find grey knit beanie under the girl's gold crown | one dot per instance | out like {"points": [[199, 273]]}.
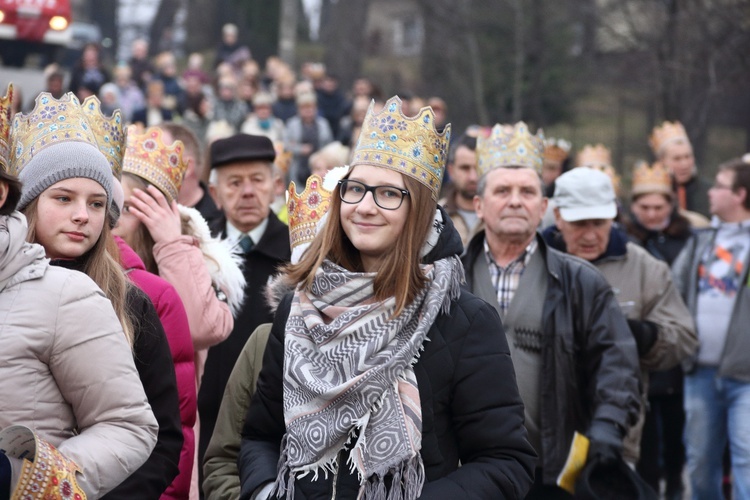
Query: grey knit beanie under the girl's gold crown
{"points": [[61, 161]]}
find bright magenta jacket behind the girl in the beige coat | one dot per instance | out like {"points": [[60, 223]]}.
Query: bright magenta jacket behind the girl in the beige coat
{"points": [[175, 322]]}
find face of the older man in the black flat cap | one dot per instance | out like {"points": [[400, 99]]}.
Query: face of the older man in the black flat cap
{"points": [[244, 191]]}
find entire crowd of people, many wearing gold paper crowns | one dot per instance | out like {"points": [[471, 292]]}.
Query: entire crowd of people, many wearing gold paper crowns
{"points": [[249, 284]]}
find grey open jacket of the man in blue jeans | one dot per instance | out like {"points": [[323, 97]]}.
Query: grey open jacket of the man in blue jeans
{"points": [[685, 270]]}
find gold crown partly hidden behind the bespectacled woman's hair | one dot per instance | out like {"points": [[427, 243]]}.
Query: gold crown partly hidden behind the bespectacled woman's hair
{"points": [[306, 210]]}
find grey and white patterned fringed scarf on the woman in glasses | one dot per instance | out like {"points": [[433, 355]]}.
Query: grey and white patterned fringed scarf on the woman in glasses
{"points": [[348, 376]]}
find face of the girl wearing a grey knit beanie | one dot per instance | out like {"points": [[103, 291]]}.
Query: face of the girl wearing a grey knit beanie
{"points": [[70, 217]]}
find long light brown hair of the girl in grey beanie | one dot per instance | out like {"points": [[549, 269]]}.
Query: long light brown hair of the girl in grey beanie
{"points": [[101, 264]]}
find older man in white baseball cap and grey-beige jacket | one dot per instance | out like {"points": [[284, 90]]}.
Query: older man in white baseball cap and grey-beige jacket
{"points": [[585, 209]]}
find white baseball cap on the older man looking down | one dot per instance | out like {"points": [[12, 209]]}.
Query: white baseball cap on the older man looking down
{"points": [[584, 193]]}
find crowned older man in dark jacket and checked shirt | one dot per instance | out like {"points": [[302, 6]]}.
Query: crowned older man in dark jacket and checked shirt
{"points": [[575, 359]]}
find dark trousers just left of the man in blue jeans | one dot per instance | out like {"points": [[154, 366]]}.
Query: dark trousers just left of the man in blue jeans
{"points": [[662, 448]]}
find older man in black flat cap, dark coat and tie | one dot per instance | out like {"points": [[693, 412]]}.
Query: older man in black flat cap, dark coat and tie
{"points": [[242, 184]]}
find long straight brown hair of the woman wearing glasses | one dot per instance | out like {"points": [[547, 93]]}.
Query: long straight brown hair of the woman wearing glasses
{"points": [[399, 275]]}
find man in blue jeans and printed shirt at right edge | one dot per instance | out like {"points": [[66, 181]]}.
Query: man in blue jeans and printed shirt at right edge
{"points": [[711, 272]]}
